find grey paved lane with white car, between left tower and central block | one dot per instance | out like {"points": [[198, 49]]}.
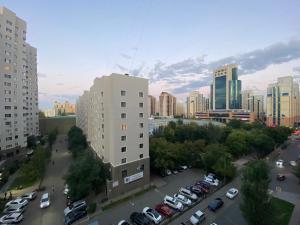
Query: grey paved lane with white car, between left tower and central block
{"points": [[53, 215]]}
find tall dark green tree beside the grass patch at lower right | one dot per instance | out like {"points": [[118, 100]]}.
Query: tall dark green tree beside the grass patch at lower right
{"points": [[256, 206]]}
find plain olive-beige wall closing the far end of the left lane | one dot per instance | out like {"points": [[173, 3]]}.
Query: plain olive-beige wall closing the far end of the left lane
{"points": [[63, 124]]}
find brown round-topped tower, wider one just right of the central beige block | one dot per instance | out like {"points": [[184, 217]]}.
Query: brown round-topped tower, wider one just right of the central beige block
{"points": [[167, 105]]}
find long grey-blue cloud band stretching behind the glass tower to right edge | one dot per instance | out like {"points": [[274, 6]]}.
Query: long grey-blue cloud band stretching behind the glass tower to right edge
{"points": [[194, 73]]}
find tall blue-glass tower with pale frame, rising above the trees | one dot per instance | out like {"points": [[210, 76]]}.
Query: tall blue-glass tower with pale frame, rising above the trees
{"points": [[226, 88]]}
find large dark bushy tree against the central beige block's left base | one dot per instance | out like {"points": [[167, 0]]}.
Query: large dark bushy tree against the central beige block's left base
{"points": [[86, 174]]}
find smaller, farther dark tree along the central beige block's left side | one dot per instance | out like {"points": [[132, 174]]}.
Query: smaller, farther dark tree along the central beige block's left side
{"points": [[77, 141]]}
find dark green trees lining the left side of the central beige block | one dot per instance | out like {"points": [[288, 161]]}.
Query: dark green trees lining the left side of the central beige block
{"points": [[87, 172]]}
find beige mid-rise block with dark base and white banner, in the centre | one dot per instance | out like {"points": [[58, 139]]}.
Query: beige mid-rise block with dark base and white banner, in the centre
{"points": [[116, 111]]}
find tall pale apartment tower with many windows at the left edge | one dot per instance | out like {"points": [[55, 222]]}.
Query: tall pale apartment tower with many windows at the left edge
{"points": [[18, 85]]}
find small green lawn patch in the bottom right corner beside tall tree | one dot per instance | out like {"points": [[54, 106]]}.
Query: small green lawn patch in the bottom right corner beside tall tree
{"points": [[283, 211]]}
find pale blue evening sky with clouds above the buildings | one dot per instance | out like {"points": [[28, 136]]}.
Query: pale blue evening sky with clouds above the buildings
{"points": [[175, 44]]}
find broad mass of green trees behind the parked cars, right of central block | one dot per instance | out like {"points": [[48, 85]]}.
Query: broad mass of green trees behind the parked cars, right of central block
{"points": [[212, 147]]}
